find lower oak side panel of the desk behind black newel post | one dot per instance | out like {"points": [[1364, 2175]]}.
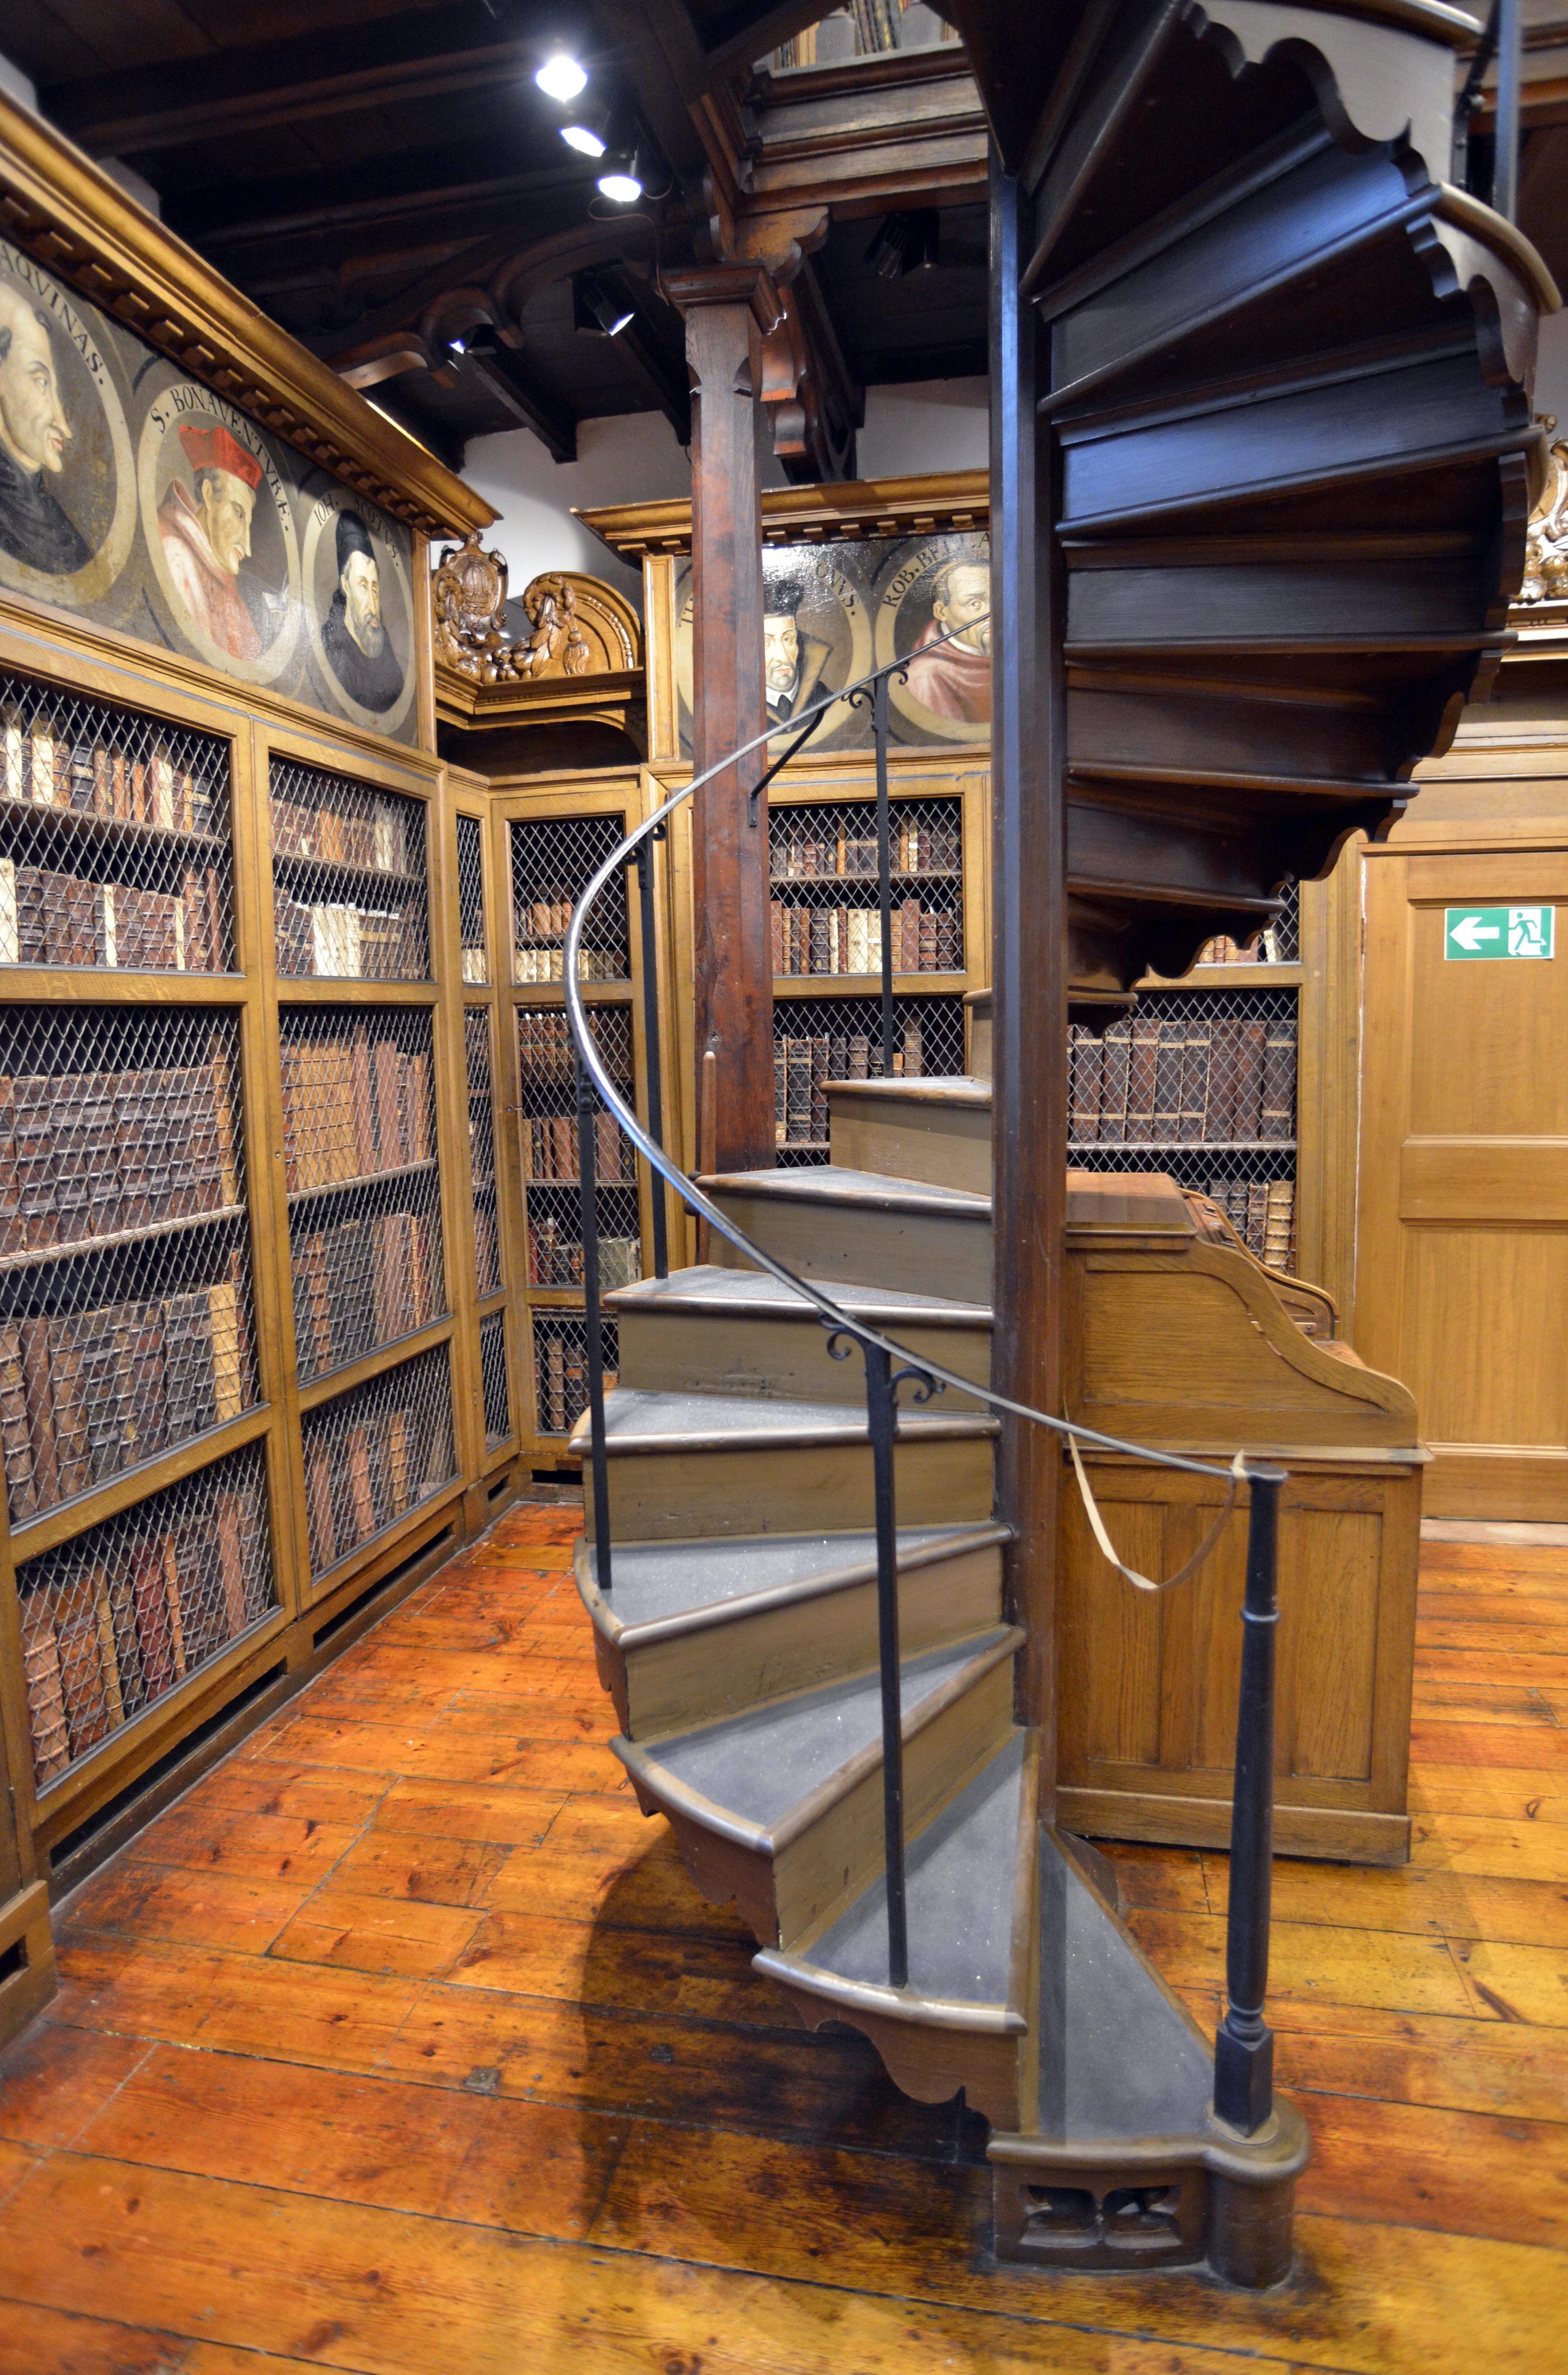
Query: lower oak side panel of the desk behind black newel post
{"points": [[1149, 1685]]}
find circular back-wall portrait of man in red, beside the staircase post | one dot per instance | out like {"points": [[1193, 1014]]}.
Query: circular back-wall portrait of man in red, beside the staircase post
{"points": [[935, 607]]}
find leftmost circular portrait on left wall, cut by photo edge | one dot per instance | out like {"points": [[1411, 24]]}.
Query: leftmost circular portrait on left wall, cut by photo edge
{"points": [[68, 498]]}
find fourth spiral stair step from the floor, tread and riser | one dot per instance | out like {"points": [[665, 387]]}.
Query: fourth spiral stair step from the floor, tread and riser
{"points": [[697, 1630]]}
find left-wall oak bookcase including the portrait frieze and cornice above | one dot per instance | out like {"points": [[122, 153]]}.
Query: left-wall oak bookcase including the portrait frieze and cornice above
{"points": [[241, 1331]]}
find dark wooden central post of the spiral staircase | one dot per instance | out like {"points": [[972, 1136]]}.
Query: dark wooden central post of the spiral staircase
{"points": [[1030, 951]]}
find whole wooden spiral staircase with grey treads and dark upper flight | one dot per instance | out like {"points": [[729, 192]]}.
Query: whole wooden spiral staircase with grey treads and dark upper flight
{"points": [[1260, 481]]}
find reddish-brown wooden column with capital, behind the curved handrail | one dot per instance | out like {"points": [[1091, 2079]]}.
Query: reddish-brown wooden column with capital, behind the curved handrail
{"points": [[728, 312]]}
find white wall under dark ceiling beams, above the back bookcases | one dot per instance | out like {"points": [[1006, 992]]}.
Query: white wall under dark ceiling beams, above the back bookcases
{"points": [[636, 460]]}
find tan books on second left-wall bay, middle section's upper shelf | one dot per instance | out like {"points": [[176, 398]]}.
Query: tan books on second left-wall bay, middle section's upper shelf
{"points": [[355, 1103]]}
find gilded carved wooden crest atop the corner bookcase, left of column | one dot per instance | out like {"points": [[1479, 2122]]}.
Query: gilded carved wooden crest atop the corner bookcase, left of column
{"points": [[578, 626]]}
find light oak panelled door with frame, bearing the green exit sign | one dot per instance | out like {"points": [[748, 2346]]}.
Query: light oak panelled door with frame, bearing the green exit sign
{"points": [[1465, 1222]]}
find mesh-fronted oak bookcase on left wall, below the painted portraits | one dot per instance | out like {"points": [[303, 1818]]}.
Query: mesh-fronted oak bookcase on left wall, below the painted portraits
{"points": [[246, 1317]]}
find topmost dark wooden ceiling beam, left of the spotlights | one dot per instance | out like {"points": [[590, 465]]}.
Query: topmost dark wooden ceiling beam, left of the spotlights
{"points": [[263, 87]]}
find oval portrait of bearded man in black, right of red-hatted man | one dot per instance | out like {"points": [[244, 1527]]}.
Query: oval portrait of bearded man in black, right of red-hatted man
{"points": [[360, 609]]}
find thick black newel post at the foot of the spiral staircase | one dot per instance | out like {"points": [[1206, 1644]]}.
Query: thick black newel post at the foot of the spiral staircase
{"points": [[1244, 2048]]}
